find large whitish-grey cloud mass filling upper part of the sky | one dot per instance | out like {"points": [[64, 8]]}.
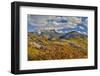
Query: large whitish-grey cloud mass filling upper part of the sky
{"points": [[42, 22]]}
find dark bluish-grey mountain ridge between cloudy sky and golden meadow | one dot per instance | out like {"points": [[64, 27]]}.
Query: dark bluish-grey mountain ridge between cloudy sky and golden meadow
{"points": [[53, 34]]}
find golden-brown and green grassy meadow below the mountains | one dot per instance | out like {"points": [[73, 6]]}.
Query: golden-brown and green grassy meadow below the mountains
{"points": [[40, 47]]}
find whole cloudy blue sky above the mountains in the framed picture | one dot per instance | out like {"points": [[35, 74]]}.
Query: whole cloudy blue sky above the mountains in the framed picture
{"points": [[61, 24]]}
